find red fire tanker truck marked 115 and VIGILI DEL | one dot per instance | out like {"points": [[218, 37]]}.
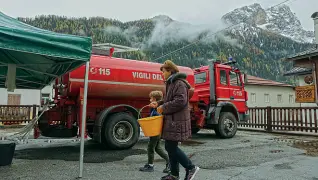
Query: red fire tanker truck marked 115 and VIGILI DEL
{"points": [[118, 88]]}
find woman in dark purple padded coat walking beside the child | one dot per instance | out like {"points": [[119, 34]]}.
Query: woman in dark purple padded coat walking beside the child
{"points": [[177, 121]]}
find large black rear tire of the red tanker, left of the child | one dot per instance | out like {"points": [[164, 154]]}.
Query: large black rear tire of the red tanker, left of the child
{"points": [[121, 131]]}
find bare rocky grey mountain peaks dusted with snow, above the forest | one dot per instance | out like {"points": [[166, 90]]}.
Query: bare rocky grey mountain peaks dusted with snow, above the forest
{"points": [[280, 20]]}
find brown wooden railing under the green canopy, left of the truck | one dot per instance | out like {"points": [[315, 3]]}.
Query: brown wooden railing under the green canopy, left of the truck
{"points": [[17, 114]]}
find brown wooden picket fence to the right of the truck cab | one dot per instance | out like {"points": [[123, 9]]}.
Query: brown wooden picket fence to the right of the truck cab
{"points": [[301, 119]]}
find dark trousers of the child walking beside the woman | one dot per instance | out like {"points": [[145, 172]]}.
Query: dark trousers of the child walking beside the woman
{"points": [[154, 146]]}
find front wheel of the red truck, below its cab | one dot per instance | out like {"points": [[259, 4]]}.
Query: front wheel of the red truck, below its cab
{"points": [[227, 125]]}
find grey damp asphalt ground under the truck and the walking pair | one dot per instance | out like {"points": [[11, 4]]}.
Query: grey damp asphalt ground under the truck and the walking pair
{"points": [[248, 156]]}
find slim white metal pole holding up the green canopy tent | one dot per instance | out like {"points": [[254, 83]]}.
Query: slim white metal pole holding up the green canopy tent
{"points": [[83, 120]]}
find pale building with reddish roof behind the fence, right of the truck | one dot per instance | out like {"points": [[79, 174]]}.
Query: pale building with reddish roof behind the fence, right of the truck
{"points": [[264, 92]]}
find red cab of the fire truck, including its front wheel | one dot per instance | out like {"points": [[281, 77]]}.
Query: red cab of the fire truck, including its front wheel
{"points": [[221, 97]]}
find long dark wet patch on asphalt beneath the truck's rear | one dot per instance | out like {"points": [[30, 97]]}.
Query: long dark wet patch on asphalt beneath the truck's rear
{"points": [[93, 153]]}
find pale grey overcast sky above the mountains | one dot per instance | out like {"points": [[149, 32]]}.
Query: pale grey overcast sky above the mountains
{"points": [[193, 11]]}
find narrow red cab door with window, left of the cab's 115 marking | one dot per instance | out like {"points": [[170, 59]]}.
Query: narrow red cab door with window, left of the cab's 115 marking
{"points": [[222, 85]]}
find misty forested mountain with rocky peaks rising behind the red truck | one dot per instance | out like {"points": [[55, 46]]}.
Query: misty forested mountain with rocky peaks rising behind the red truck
{"points": [[257, 47]]}
